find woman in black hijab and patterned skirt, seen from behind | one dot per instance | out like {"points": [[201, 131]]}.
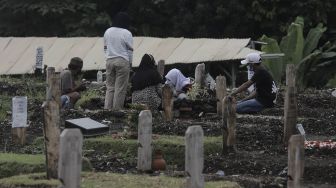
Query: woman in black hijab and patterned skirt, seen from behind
{"points": [[146, 84]]}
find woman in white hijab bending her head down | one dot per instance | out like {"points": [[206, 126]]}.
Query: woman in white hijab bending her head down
{"points": [[179, 82]]}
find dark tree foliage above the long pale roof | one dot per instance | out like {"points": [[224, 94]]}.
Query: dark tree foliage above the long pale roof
{"points": [[162, 18]]}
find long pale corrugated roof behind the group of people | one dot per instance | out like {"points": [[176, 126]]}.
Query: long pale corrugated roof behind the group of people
{"points": [[18, 55]]}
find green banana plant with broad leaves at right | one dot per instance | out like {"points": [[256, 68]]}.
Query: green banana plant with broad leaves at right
{"points": [[315, 66]]}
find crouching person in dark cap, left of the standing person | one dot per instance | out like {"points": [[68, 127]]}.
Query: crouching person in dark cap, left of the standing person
{"points": [[71, 91]]}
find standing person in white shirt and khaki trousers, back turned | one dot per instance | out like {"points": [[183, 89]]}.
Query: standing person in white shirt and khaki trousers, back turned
{"points": [[118, 47]]}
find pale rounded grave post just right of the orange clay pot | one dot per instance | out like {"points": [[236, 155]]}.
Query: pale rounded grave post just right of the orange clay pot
{"points": [[194, 157]]}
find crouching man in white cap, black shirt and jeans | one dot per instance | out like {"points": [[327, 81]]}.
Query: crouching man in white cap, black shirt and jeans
{"points": [[264, 94]]}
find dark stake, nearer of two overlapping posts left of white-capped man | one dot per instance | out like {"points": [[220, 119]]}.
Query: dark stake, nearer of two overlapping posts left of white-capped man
{"points": [[229, 124]]}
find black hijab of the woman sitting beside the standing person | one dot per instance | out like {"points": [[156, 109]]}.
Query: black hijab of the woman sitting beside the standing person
{"points": [[146, 75]]}
